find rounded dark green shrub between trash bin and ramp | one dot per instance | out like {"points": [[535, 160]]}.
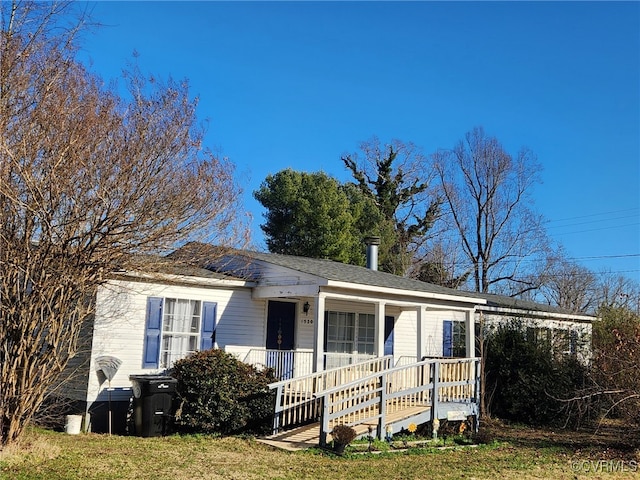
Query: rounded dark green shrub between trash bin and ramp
{"points": [[217, 393]]}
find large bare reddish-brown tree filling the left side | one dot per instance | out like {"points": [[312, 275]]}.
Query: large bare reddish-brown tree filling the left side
{"points": [[88, 177]]}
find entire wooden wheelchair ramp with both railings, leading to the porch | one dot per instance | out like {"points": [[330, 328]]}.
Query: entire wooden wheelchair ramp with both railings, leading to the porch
{"points": [[374, 398]]}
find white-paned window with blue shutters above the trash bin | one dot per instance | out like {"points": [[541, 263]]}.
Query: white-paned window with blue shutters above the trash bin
{"points": [[175, 328]]}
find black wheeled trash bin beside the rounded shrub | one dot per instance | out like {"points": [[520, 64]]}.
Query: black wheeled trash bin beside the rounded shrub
{"points": [[152, 399]]}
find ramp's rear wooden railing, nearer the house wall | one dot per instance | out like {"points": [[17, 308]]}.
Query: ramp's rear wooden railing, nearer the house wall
{"points": [[296, 402]]}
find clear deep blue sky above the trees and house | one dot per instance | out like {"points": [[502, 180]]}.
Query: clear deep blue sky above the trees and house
{"points": [[298, 84]]}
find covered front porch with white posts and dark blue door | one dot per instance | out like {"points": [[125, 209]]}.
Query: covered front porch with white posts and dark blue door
{"points": [[336, 330]]}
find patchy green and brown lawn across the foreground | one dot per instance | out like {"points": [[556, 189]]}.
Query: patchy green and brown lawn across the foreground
{"points": [[534, 455]]}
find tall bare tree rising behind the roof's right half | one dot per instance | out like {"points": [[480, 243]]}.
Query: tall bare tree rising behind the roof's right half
{"points": [[487, 192]]}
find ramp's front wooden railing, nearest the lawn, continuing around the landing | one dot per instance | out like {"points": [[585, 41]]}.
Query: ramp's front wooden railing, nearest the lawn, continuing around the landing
{"points": [[373, 398]]}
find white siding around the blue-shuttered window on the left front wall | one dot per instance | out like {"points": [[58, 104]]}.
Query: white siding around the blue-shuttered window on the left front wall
{"points": [[119, 328]]}
